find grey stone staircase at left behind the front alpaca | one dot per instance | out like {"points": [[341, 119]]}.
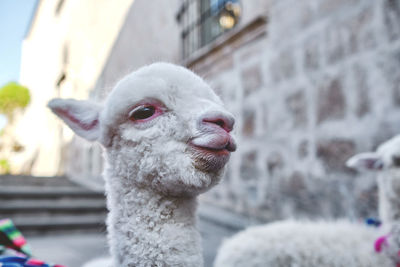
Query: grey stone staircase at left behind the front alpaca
{"points": [[48, 205]]}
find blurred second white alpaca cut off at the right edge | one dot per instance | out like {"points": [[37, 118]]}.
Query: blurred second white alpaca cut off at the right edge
{"points": [[338, 244]]}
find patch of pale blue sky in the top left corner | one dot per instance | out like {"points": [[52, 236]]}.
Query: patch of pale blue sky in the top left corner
{"points": [[15, 16]]}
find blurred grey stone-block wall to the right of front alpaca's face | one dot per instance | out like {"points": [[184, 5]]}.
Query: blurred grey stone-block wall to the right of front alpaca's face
{"points": [[311, 84]]}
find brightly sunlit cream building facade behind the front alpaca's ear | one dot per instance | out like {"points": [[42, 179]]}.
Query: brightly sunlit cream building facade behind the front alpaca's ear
{"points": [[62, 55]]}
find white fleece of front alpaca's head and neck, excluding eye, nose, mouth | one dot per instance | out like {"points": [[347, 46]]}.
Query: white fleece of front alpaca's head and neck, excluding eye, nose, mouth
{"points": [[152, 175]]}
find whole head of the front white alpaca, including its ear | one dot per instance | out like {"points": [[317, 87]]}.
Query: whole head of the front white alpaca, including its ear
{"points": [[162, 127]]}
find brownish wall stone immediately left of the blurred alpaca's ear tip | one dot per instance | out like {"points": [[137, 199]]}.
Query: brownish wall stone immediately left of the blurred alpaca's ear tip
{"points": [[334, 153]]}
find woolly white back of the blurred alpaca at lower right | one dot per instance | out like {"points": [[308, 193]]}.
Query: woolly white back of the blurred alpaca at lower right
{"points": [[303, 244]]}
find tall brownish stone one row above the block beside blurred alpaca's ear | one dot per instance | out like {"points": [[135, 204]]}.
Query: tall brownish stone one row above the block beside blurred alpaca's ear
{"points": [[331, 101]]}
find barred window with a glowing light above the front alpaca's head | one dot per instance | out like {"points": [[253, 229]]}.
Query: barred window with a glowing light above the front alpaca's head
{"points": [[204, 20]]}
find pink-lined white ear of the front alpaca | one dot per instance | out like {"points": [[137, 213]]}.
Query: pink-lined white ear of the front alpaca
{"points": [[81, 116]]}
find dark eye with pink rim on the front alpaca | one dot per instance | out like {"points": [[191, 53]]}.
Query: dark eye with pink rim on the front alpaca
{"points": [[146, 111]]}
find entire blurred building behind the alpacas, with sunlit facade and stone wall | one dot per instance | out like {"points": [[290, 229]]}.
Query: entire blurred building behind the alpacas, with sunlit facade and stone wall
{"points": [[310, 82]]}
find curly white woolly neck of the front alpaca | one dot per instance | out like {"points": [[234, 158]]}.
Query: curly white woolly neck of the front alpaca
{"points": [[148, 229]]}
